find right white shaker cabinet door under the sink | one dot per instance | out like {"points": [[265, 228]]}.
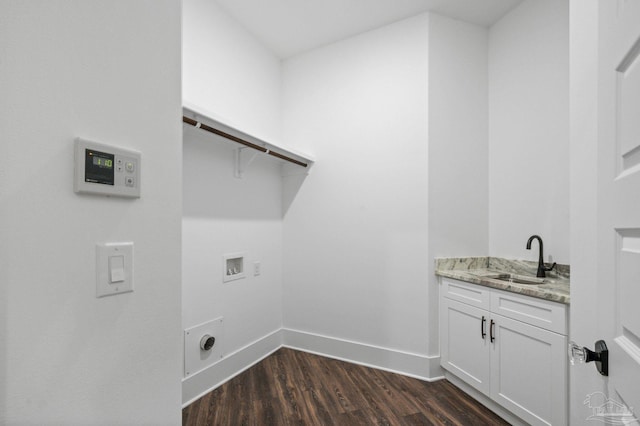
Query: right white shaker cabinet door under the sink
{"points": [[529, 371]]}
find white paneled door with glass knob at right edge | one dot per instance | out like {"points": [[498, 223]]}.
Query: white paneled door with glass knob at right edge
{"points": [[619, 202]]}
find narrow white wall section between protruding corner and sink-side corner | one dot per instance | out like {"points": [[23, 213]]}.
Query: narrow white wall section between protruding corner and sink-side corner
{"points": [[458, 146]]}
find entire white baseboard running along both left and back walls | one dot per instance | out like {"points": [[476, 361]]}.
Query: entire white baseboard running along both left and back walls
{"points": [[408, 364]]}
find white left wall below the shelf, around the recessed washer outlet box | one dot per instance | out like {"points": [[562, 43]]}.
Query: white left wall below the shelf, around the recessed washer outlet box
{"points": [[223, 215]]}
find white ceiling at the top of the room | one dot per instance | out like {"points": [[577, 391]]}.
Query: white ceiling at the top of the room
{"points": [[289, 27]]}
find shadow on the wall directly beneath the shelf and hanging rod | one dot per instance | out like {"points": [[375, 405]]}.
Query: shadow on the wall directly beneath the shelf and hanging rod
{"points": [[211, 190]]}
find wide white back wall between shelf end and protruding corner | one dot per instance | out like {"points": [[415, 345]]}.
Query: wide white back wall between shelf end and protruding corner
{"points": [[355, 245]]}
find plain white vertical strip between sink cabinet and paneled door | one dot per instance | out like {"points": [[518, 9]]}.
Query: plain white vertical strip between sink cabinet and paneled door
{"points": [[583, 106]]}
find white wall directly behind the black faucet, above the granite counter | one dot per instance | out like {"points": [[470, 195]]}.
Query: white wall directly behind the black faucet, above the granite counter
{"points": [[529, 131]]}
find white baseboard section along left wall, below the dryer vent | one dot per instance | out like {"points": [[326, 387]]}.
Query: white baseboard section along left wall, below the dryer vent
{"points": [[200, 384]]}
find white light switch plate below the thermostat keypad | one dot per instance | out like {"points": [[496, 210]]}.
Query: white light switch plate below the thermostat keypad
{"points": [[114, 268]]}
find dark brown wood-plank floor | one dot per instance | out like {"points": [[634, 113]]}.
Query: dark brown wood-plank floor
{"points": [[297, 388]]}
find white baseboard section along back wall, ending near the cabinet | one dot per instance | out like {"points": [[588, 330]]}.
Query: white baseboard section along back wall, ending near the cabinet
{"points": [[408, 364]]}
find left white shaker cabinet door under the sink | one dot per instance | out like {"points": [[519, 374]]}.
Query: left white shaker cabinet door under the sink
{"points": [[465, 352]]}
